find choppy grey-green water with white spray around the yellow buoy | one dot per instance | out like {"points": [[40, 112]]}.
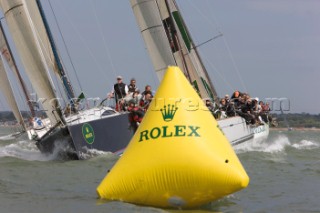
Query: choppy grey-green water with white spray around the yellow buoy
{"points": [[284, 176]]}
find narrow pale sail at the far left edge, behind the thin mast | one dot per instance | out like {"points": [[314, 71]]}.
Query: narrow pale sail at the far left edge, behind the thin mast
{"points": [[6, 88]]}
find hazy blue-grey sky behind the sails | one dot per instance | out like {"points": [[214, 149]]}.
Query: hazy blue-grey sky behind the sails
{"points": [[270, 49]]}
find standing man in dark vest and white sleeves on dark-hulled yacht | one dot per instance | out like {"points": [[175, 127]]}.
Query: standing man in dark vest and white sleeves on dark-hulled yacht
{"points": [[119, 92]]}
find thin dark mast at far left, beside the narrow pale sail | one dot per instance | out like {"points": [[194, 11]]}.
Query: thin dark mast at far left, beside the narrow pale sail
{"points": [[16, 71]]}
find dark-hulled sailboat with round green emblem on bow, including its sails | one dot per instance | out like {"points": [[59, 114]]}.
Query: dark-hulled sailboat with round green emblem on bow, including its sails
{"points": [[100, 128]]}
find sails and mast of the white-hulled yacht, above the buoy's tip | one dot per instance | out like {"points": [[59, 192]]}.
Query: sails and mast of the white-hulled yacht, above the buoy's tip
{"points": [[169, 43]]}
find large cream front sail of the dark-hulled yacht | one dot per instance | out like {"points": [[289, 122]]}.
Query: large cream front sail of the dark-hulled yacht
{"points": [[26, 39]]}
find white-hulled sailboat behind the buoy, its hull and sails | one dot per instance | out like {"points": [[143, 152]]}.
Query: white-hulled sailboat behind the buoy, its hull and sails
{"points": [[169, 43]]}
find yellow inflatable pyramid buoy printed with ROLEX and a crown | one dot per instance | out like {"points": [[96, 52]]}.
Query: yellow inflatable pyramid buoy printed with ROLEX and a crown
{"points": [[178, 157]]}
